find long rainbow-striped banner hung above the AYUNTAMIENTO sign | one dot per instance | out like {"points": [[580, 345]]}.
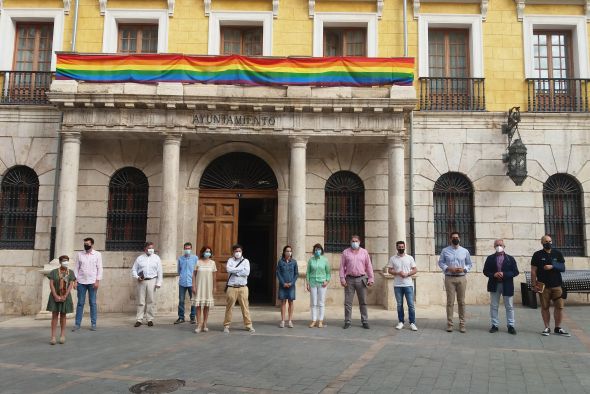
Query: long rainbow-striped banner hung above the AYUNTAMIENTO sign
{"points": [[236, 70]]}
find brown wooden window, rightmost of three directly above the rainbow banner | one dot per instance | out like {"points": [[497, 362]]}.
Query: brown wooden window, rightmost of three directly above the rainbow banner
{"points": [[345, 41]]}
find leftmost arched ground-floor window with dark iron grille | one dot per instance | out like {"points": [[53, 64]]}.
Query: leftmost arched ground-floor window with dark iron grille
{"points": [[19, 194]]}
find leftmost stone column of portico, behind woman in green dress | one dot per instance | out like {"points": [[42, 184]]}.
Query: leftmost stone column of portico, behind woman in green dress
{"points": [[67, 195]]}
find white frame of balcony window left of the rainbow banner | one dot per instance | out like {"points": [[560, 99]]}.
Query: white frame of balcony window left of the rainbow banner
{"points": [[11, 16]]}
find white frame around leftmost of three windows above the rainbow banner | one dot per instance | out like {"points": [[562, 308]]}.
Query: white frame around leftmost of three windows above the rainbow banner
{"points": [[112, 19]]}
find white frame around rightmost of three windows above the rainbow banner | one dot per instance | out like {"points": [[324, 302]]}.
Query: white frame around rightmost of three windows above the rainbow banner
{"points": [[344, 19]]}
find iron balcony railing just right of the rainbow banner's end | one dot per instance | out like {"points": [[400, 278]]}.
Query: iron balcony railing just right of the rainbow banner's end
{"points": [[452, 94]]}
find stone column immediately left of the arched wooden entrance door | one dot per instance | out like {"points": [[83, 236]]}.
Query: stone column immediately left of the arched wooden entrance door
{"points": [[169, 207]]}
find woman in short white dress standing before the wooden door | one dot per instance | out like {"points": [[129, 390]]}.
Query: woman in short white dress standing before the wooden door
{"points": [[203, 286]]}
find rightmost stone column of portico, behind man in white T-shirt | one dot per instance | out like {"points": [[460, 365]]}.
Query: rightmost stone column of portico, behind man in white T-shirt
{"points": [[396, 193]]}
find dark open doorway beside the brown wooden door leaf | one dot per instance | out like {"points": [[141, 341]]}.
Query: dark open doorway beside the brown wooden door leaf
{"points": [[256, 233]]}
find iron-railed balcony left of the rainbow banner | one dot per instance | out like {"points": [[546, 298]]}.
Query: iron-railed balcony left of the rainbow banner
{"points": [[25, 87]]}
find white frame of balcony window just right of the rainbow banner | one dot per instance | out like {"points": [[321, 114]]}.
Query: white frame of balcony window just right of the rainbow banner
{"points": [[450, 21]]}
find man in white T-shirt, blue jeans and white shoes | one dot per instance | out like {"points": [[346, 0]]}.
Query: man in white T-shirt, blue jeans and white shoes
{"points": [[403, 266]]}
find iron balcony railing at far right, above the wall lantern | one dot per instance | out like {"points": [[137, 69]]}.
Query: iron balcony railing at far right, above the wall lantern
{"points": [[558, 95]]}
